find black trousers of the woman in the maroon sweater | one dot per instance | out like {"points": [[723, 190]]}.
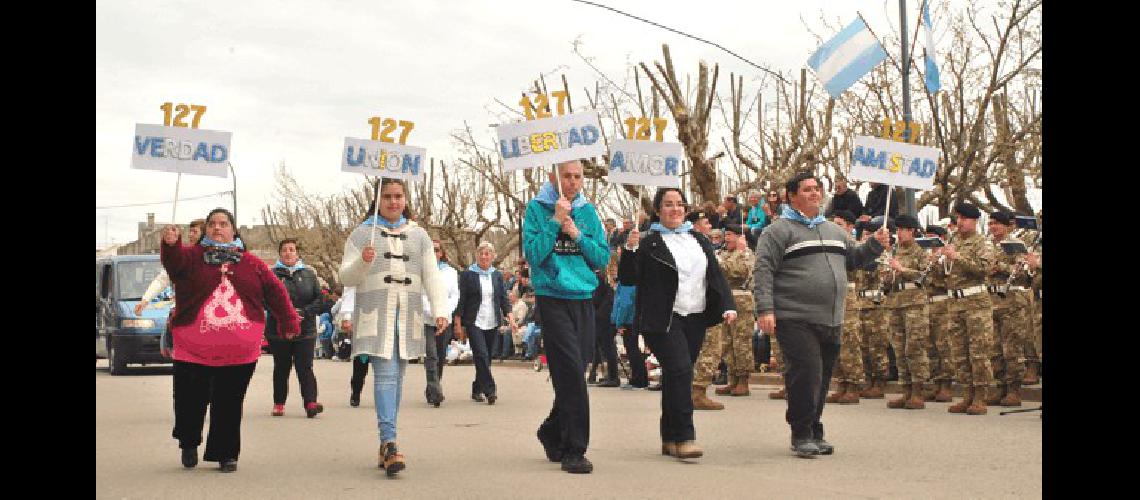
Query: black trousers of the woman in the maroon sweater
{"points": [[223, 390]]}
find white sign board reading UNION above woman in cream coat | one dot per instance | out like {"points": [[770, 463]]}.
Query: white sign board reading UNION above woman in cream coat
{"points": [[374, 158]]}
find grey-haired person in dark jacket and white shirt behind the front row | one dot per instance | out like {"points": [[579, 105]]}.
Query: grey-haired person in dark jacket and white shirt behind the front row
{"points": [[478, 321]]}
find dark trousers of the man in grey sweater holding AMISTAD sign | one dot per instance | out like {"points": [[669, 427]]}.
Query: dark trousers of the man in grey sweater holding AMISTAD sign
{"points": [[811, 353]]}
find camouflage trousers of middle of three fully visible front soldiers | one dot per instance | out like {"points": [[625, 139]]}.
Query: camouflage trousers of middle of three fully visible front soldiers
{"points": [[972, 329]]}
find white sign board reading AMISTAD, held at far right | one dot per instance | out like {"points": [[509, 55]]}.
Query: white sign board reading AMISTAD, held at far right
{"points": [[894, 163]]}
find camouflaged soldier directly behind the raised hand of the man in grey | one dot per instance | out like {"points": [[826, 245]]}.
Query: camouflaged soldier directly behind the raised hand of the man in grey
{"points": [[876, 323]]}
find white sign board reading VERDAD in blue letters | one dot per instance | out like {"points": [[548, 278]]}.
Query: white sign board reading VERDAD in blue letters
{"points": [[181, 150]]}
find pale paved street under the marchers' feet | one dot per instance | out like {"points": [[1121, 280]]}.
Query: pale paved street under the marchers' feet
{"points": [[474, 450]]}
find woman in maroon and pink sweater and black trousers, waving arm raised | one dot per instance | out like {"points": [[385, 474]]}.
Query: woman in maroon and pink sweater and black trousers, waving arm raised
{"points": [[217, 333]]}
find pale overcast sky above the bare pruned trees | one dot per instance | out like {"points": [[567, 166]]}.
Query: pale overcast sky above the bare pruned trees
{"points": [[292, 80]]}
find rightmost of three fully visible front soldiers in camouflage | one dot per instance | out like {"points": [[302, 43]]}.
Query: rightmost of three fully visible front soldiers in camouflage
{"points": [[1009, 291]]}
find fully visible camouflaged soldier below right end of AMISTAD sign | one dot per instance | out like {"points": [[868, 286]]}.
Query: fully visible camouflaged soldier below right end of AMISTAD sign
{"points": [[910, 324]]}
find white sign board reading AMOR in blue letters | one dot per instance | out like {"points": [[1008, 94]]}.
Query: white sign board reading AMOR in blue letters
{"points": [[646, 163]]}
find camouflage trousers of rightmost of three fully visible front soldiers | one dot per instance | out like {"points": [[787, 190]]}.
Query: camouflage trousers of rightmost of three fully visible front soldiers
{"points": [[1012, 333]]}
